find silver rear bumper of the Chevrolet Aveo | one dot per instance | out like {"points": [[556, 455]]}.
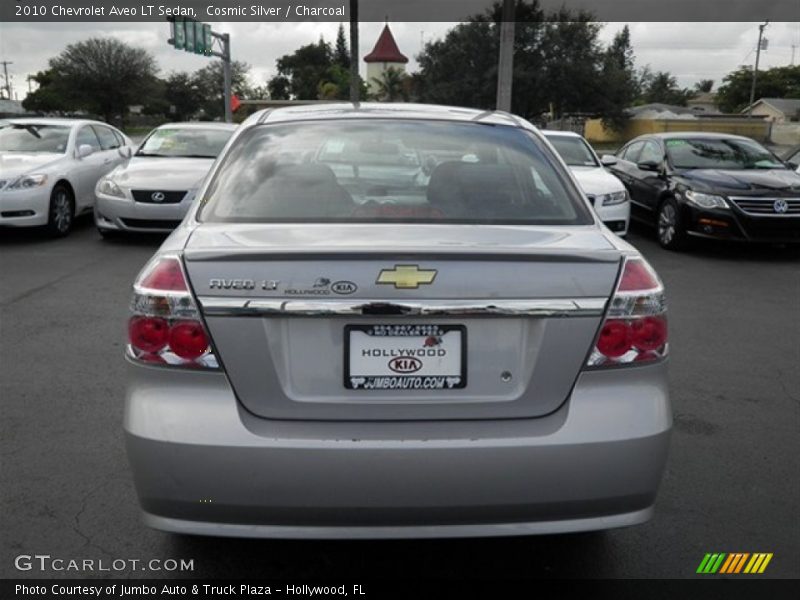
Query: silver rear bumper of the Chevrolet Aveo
{"points": [[203, 465]]}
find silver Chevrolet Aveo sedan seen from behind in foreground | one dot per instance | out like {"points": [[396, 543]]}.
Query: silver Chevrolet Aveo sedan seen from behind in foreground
{"points": [[395, 321]]}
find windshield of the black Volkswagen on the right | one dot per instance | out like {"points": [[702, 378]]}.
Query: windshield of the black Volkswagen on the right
{"points": [[732, 153]]}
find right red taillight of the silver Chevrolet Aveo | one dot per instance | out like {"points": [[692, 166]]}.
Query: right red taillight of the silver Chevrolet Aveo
{"points": [[635, 327]]}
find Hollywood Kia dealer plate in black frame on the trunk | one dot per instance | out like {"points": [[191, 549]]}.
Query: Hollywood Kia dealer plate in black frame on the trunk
{"points": [[405, 357]]}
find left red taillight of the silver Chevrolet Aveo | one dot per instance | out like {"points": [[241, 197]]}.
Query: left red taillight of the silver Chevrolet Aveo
{"points": [[166, 328]]}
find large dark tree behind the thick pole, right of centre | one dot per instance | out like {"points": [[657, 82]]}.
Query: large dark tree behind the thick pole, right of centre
{"points": [[557, 62]]}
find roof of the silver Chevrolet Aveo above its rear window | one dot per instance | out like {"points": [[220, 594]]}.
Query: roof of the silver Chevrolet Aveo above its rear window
{"points": [[381, 110]]}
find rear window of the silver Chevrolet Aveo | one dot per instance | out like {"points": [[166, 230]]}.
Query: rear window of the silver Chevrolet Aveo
{"points": [[390, 171]]}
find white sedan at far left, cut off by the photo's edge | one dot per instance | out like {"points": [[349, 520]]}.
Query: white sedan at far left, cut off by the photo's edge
{"points": [[49, 168]]}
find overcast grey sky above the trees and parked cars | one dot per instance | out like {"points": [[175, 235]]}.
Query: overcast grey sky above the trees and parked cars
{"points": [[690, 51]]}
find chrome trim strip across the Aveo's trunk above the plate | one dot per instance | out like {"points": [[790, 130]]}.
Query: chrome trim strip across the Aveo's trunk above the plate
{"points": [[214, 306]]}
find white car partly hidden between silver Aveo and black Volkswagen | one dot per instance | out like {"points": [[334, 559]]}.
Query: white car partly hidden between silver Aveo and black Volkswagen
{"points": [[606, 193]]}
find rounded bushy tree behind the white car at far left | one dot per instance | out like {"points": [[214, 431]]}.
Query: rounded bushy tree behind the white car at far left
{"points": [[98, 75]]}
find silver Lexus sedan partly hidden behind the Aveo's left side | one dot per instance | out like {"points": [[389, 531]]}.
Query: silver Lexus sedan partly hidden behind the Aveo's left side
{"points": [[153, 190]]}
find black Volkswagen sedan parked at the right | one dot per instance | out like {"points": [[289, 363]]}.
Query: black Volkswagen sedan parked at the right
{"points": [[710, 185]]}
